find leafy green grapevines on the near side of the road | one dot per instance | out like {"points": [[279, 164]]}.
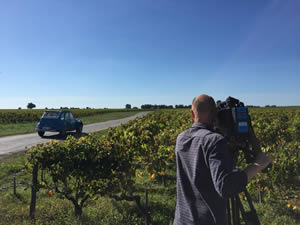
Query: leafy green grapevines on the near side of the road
{"points": [[126, 162]]}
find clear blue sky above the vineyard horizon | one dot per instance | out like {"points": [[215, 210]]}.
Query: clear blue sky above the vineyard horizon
{"points": [[107, 53]]}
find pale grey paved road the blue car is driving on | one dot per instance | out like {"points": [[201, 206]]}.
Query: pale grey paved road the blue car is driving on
{"points": [[13, 144]]}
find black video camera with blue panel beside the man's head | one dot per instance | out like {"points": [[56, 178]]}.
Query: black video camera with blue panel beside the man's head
{"points": [[234, 123]]}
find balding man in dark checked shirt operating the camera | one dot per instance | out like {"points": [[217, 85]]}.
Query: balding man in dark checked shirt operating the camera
{"points": [[206, 178]]}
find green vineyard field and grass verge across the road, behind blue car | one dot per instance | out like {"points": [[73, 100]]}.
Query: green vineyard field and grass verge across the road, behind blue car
{"points": [[26, 120]]}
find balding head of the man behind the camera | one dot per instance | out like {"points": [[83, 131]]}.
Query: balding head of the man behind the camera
{"points": [[203, 109]]}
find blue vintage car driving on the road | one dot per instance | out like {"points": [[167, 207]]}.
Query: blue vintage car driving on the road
{"points": [[58, 121]]}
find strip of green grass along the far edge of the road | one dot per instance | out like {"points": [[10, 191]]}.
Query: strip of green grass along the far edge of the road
{"points": [[25, 128]]}
